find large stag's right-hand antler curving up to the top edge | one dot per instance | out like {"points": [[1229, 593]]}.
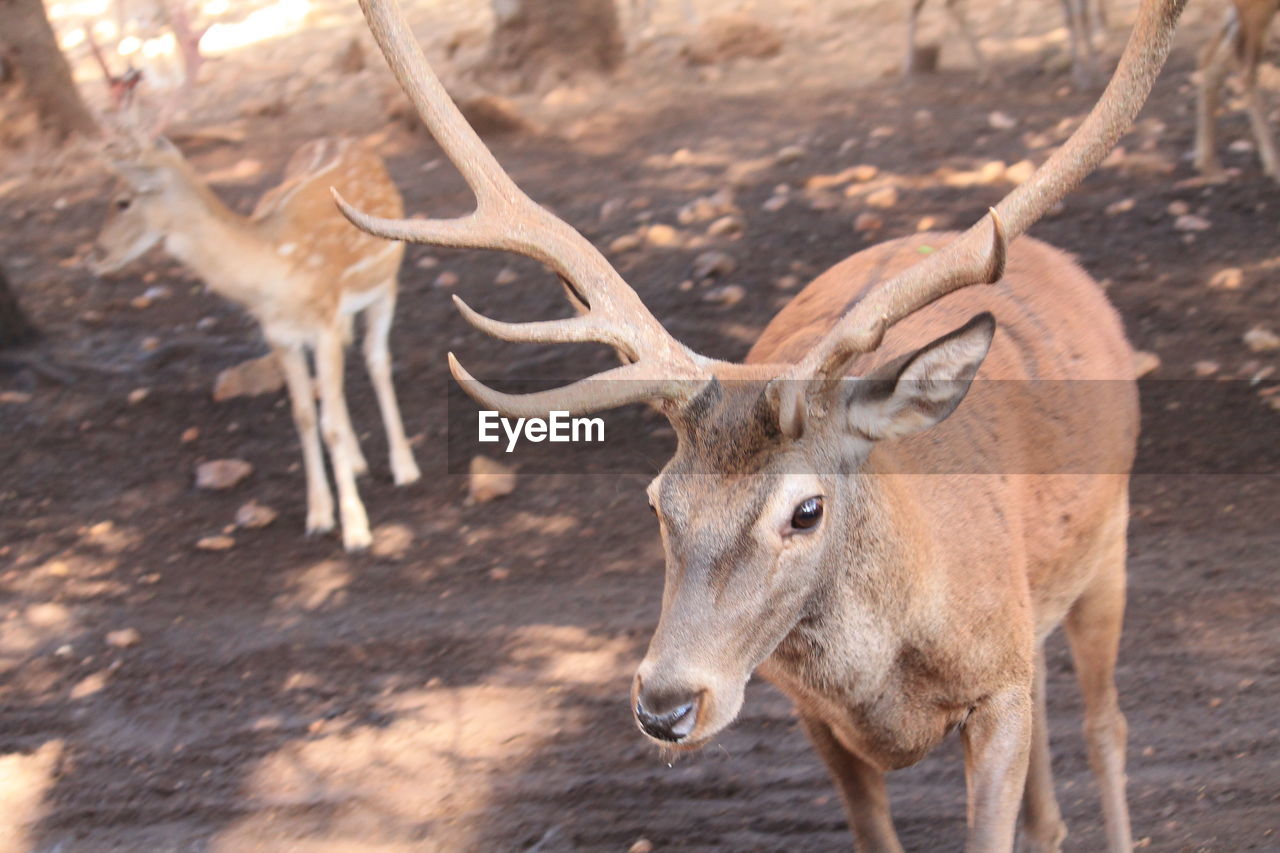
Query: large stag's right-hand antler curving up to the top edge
{"points": [[975, 257]]}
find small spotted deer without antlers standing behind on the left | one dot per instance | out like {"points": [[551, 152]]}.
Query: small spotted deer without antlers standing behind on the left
{"points": [[301, 271]]}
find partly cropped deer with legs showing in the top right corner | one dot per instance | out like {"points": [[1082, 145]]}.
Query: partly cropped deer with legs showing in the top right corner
{"points": [[1241, 42]]}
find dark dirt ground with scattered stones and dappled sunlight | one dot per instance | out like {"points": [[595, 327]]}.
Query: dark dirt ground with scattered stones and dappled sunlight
{"points": [[464, 687]]}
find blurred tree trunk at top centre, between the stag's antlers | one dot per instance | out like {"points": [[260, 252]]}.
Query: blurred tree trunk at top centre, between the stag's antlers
{"points": [[541, 43]]}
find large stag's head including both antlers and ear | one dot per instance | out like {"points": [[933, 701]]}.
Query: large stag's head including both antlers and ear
{"points": [[762, 498]]}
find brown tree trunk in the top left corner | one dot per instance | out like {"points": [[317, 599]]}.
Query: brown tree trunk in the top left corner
{"points": [[47, 79]]}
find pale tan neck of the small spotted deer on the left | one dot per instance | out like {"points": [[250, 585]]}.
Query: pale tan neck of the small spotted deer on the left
{"points": [[228, 252]]}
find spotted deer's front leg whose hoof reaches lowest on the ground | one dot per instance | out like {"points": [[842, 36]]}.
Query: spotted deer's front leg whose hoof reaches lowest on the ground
{"points": [[335, 426]]}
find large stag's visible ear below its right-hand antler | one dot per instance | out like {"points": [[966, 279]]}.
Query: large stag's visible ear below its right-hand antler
{"points": [[912, 394]]}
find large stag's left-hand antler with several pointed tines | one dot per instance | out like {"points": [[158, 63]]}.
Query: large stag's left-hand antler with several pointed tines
{"points": [[508, 220]]}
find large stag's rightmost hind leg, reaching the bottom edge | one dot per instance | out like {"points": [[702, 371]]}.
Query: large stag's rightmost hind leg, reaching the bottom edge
{"points": [[1094, 632]]}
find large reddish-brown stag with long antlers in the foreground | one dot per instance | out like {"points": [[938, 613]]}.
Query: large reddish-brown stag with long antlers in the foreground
{"points": [[813, 526]]}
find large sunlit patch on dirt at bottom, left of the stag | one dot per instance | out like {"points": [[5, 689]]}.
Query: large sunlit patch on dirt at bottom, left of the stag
{"points": [[388, 788]]}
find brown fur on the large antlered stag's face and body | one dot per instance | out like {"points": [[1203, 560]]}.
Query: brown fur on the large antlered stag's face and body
{"points": [[936, 583]]}
